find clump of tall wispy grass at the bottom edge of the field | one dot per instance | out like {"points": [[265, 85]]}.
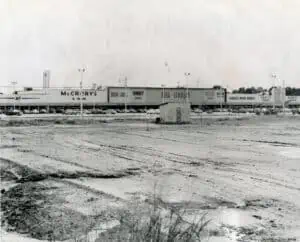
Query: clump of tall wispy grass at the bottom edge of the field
{"points": [[157, 224]]}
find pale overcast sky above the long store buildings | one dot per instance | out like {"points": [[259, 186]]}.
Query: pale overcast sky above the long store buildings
{"points": [[229, 42]]}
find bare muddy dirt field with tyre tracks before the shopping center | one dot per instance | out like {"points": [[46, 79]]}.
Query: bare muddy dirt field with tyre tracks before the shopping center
{"points": [[244, 174]]}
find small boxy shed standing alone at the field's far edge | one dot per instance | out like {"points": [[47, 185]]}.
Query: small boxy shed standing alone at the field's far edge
{"points": [[175, 113]]}
